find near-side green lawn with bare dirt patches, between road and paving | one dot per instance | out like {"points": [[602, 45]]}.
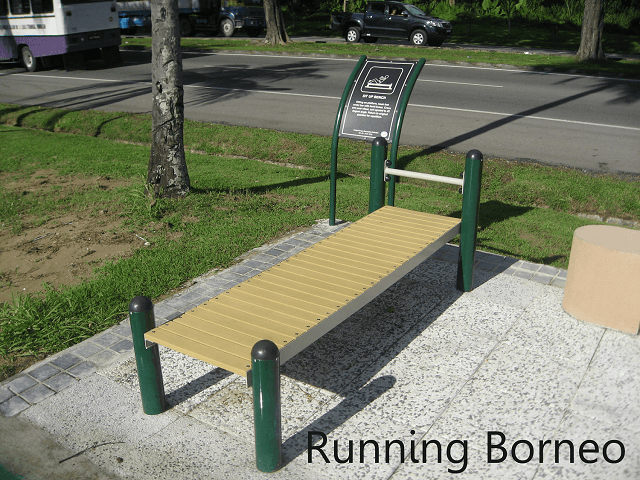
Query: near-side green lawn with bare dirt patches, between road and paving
{"points": [[238, 202]]}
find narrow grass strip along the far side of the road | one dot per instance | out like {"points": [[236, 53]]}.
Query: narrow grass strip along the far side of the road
{"points": [[381, 50]]}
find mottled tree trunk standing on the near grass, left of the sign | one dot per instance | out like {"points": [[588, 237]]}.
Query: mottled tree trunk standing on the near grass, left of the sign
{"points": [[167, 174]]}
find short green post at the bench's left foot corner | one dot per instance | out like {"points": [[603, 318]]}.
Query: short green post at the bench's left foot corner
{"points": [[147, 359]]}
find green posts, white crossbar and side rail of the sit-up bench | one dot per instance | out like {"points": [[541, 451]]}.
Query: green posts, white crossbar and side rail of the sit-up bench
{"points": [[264, 375]]}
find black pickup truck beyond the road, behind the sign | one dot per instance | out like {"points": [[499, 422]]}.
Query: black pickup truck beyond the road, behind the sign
{"points": [[388, 19]]}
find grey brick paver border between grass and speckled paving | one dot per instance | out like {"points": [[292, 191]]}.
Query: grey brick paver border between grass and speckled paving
{"points": [[64, 369]]}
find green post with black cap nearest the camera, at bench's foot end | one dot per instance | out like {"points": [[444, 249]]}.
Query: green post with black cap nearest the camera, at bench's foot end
{"points": [[265, 374]]}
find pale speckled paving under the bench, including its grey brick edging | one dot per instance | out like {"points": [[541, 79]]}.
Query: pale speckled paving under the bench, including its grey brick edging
{"points": [[438, 375]]}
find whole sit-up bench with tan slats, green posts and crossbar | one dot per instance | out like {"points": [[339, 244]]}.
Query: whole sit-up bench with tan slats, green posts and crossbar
{"points": [[261, 323]]}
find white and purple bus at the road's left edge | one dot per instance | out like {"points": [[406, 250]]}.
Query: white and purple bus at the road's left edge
{"points": [[35, 31]]}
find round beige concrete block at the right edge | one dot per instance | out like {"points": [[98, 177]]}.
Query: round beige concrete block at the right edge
{"points": [[603, 280]]}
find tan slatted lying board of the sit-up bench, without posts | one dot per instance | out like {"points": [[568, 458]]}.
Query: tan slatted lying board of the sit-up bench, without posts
{"points": [[300, 299]]}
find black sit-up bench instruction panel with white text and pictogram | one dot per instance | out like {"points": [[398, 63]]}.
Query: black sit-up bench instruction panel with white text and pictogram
{"points": [[372, 106]]}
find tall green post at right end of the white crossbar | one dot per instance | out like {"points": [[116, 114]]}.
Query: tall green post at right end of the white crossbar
{"points": [[469, 223]]}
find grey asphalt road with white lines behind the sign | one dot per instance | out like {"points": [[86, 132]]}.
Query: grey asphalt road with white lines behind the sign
{"points": [[583, 122]]}
